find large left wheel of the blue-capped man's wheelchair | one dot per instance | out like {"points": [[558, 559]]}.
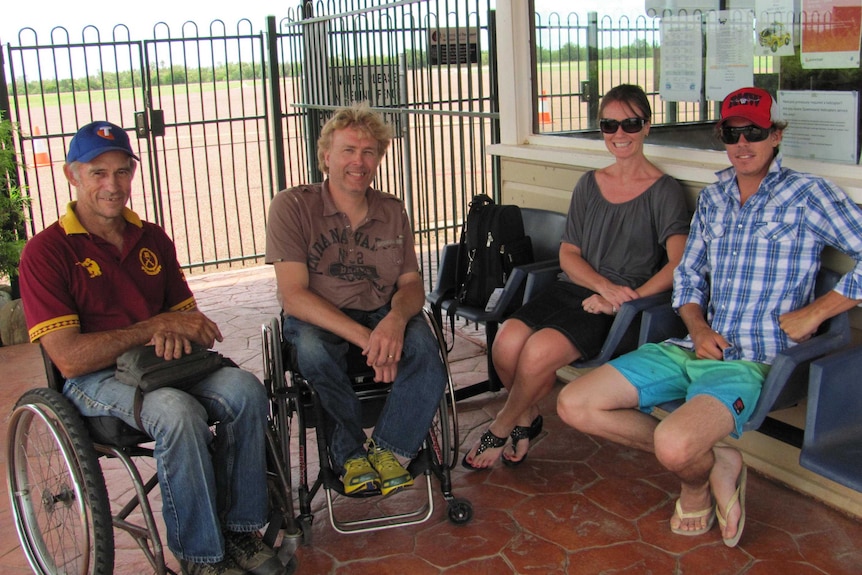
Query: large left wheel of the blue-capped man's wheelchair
{"points": [[57, 490]]}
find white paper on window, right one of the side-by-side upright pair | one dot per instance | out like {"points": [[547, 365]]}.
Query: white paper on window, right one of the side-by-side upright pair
{"points": [[729, 48]]}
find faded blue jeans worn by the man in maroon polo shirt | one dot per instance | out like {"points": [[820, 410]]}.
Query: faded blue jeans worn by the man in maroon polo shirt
{"points": [[209, 482]]}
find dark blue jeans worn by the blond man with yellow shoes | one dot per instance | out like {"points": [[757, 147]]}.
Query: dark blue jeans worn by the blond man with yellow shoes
{"points": [[410, 406]]}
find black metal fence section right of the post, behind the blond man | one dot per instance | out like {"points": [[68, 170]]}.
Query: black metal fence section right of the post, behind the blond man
{"points": [[429, 66]]}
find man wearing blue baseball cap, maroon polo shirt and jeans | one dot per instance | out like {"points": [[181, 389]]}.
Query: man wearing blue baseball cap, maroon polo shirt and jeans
{"points": [[101, 281]]}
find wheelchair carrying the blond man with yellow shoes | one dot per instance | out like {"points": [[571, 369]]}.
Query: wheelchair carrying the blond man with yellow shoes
{"points": [[292, 396]]}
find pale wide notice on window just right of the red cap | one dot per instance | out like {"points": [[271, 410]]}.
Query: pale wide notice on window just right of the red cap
{"points": [[821, 125]]}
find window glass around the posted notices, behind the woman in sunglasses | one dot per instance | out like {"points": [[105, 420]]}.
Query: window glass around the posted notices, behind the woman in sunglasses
{"points": [[579, 56]]}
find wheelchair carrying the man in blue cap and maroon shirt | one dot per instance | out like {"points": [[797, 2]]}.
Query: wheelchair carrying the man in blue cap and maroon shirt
{"points": [[59, 499]]}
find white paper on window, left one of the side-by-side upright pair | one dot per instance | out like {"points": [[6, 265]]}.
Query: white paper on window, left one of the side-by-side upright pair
{"points": [[681, 58]]}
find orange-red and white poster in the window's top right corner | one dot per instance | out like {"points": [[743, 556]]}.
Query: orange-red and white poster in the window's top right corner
{"points": [[831, 33]]}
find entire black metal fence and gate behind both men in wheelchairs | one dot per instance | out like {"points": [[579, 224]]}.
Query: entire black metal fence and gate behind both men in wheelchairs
{"points": [[226, 118]]}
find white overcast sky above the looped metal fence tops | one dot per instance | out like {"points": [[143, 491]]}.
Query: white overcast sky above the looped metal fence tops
{"points": [[141, 16]]}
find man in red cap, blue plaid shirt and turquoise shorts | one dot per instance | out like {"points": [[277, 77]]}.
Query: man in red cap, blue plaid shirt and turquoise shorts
{"points": [[745, 290]]}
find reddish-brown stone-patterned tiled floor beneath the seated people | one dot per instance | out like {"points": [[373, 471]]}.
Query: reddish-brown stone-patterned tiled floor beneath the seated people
{"points": [[577, 505]]}
